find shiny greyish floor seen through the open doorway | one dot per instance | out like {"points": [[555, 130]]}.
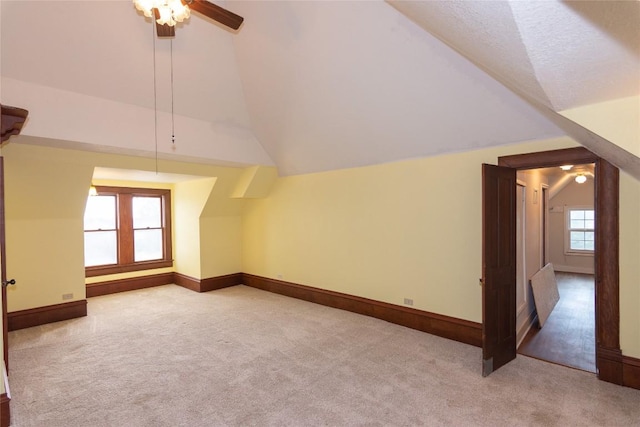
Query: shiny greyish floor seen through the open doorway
{"points": [[569, 334]]}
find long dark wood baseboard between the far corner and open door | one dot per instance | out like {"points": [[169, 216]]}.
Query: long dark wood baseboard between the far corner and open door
{"points": [[444, 326]]}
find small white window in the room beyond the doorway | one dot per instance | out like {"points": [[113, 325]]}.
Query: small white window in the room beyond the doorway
{"points": [[580, 230]]}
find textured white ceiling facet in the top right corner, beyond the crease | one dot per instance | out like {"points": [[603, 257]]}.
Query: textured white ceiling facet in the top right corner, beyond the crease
{"points": [[582, 52]]}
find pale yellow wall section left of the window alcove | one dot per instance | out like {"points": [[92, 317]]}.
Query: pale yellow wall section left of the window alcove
{"points": [[45, 196]]}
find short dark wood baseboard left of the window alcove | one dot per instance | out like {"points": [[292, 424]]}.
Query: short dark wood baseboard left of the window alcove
{"points": [[48, 314]]}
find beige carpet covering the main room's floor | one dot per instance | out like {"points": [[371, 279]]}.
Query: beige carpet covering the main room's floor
{"points": [[239, 356]]}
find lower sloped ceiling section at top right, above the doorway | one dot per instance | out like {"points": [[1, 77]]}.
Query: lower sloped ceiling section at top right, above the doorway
{"points": [[557, 55]]}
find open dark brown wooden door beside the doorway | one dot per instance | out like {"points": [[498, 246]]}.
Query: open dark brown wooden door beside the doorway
{"points": [[498, 267]]}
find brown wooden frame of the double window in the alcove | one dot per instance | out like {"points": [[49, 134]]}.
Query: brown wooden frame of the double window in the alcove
{"points": [[125, 231]]}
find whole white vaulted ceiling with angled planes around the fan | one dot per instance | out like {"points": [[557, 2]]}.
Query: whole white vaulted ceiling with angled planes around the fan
{"points": [[319, 85]]}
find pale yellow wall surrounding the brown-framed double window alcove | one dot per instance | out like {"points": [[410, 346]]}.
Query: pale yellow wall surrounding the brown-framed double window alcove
{"points": [[46, 191]]}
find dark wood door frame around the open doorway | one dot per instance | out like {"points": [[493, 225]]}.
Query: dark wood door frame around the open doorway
{"points": [[607, 301]]}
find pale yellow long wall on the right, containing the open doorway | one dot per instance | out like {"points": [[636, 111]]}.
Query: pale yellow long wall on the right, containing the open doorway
{"points": [[409, 229]]}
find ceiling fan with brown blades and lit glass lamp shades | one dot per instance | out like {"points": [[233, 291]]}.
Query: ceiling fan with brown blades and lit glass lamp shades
{"points": [[168, 12]]}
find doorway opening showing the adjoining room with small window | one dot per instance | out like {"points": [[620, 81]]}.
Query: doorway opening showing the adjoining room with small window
{"points": [[566, 217]]}
